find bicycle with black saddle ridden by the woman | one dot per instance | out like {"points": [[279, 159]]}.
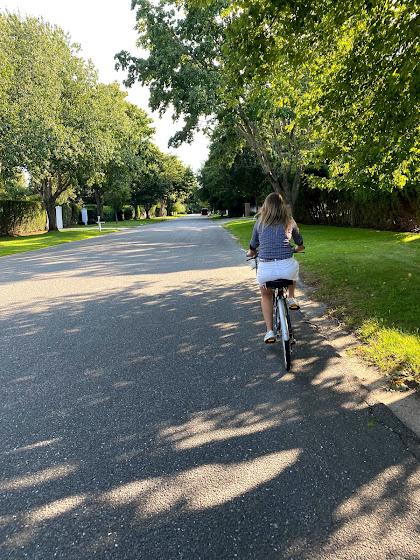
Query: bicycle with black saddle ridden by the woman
{"points": [[282, 325]]}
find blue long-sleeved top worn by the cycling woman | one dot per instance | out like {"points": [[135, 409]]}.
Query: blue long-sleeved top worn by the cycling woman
{"points": [[274, 241]]}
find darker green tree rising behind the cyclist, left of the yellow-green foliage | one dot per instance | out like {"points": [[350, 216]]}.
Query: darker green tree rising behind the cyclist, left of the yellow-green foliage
{"points": [[188, 68]]}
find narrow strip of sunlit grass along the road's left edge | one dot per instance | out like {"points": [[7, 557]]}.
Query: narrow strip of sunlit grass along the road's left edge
{"points": [[11, 245]]}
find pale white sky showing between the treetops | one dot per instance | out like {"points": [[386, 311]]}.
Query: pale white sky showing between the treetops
{"points": [[103, 28]]}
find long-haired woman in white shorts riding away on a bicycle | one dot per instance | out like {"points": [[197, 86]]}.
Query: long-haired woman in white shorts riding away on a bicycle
{"points": [[273, 230]]}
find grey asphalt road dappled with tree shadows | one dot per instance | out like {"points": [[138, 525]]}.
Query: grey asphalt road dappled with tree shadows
{"points": [[142, 417]]}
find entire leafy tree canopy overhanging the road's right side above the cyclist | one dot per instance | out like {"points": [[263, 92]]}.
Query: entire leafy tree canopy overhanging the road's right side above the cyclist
{"points": [[304, 82]]}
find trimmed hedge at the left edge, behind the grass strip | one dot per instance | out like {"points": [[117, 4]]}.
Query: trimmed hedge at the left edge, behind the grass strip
{"points": [[22, 216]]}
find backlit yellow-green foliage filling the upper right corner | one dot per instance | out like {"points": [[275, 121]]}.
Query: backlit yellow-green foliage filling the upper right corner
{"points": [[363, 57]]}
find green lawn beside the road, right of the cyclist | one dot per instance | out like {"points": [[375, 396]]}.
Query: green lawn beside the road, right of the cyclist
{"points": [[371, 282]]}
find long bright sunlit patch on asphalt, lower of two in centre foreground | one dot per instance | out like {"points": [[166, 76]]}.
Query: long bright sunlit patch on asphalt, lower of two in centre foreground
{"points": [[200, 488]]}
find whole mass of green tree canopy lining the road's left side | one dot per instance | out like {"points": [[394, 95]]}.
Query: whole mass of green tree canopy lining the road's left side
{"points": [[69, 132]]}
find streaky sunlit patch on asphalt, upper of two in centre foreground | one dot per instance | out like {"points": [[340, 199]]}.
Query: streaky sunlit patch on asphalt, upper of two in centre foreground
{"points": [[222, 424]]}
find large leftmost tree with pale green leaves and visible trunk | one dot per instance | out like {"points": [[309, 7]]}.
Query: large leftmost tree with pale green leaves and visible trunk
{"points": [[49, 95]]}
